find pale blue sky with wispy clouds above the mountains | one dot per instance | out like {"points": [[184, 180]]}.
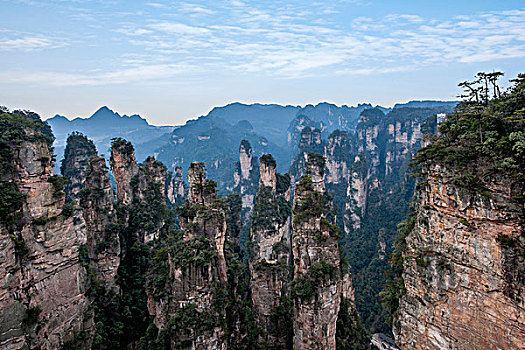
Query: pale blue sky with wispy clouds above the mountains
{"points": [[171, 61]]}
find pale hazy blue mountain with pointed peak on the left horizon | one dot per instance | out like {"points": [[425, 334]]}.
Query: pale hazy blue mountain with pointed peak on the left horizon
{"points": [[105, 124]]}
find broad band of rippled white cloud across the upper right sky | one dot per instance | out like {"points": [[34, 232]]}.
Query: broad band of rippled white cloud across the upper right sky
{"points": [[285, 43]]}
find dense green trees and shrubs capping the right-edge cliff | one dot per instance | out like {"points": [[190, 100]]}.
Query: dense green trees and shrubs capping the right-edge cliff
{"points": [[488, 132]]}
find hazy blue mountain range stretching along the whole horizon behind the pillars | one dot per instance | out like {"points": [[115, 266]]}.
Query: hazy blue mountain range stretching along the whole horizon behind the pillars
{"points": [[215, 138]]}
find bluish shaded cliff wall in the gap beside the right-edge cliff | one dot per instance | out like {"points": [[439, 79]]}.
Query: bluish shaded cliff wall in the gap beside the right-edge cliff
{"points": [[374, 193]]}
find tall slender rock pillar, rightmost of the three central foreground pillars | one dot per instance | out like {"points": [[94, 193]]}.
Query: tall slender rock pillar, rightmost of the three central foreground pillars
{"points": [[318, 284]]}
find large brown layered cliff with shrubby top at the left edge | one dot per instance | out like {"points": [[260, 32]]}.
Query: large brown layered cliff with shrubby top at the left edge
{"points": [[42, 296]]}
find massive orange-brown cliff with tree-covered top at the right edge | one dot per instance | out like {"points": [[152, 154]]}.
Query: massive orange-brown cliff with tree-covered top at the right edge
{"points": [[459, 264]]}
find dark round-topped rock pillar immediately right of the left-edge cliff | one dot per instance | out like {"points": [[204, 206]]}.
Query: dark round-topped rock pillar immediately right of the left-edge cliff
{"points": [[88, 187]]}
